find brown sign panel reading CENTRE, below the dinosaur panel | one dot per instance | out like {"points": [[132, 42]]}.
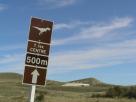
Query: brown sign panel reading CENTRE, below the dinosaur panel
{"points": [[38, 48]]}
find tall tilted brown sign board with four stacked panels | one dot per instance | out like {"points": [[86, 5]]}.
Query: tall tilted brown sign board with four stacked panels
{"points": [[37, 52]]}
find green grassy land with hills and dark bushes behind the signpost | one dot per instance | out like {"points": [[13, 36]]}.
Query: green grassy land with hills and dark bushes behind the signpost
{"points": [[12, 90]]}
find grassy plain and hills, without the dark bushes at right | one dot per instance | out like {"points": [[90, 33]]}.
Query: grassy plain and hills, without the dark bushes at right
{"points": [[12, 90]]}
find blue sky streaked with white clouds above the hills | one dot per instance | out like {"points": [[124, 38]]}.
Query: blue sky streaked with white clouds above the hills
{"points": [[91, 38]]}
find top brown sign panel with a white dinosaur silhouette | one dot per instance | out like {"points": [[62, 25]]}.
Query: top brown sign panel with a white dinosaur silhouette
{"points": [[40, 30]]}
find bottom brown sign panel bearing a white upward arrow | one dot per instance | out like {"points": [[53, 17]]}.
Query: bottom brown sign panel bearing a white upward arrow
{"points": [[34, 75]]}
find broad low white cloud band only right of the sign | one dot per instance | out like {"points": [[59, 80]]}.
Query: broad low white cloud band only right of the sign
{"points": [[112, 54]]}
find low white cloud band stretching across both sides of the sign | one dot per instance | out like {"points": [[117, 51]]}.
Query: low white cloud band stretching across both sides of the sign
{"points": [[109, 55]]}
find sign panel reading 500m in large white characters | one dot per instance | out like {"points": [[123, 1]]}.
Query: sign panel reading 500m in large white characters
{"points": [[35, 60]]}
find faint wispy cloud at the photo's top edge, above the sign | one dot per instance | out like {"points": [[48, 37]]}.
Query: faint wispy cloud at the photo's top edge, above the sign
{"points": [[56, 3]]}
